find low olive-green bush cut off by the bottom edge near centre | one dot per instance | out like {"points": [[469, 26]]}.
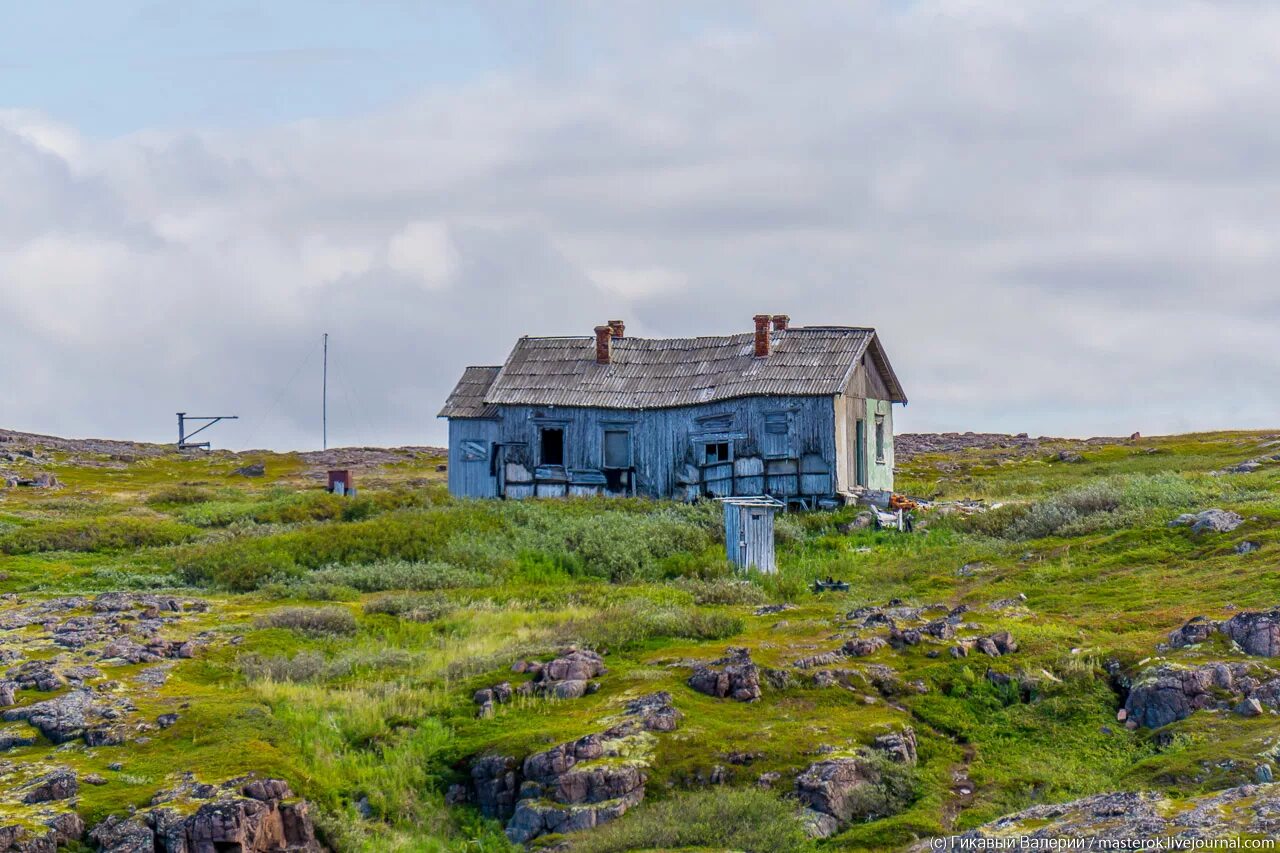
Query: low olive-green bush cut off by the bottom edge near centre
{"points": [[728, 819]]}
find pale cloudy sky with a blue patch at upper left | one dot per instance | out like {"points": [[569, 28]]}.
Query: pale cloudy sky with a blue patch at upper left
{"points": [[1062, 218]]}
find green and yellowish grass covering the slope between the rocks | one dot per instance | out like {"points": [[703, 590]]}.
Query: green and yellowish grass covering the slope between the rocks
{"points": [[365, 626]]}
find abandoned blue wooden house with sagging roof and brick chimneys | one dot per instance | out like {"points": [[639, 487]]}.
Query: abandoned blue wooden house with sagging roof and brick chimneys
{"points": [[803, 414]]}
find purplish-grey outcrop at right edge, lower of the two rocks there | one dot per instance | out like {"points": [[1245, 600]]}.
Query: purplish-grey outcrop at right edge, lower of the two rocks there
{"points": [[1168, 694]]}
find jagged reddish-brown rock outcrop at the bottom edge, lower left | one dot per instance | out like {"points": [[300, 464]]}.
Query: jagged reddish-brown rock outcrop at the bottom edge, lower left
{"points": [[255, 816]]}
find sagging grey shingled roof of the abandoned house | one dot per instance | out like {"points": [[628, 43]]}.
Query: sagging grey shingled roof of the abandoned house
{"points": [[664, 373]]}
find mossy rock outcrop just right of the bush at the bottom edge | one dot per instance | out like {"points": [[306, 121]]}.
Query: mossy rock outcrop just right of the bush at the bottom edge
{"points": [[838, 792]]}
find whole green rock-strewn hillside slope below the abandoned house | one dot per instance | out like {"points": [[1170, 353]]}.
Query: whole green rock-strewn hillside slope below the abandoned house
{"points": [[409, 672]]}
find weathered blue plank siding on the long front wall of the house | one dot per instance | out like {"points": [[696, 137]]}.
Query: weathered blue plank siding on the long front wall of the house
{"points": [[665, 441]]}
